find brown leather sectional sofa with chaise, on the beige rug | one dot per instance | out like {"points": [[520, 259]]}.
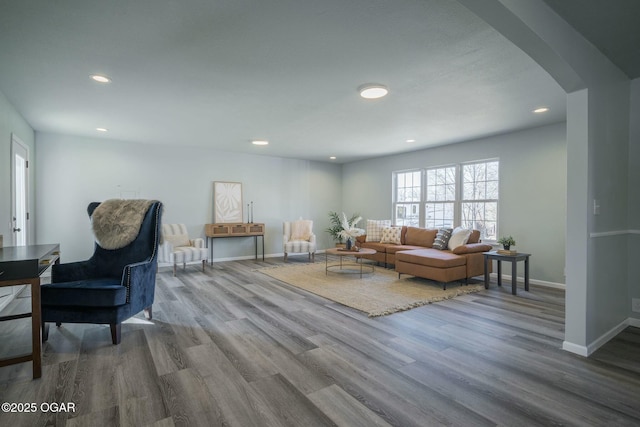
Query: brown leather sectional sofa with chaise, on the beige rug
{"points": [[416, 256]]}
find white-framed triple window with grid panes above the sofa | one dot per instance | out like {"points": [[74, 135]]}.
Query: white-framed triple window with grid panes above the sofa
{"points": [[445, 196]]}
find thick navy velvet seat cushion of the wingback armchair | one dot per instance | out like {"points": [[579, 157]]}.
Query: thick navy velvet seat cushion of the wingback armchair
{"points": [[95, 293]]}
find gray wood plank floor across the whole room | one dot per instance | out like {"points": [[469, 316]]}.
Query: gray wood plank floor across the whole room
{"points": [[232, 346]]}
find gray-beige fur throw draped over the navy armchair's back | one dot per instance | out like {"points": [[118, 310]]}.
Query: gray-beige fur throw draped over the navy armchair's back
{"points": [[116, 222]]}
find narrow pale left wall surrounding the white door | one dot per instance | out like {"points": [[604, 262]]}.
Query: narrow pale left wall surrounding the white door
{"points": [[11, 122]]}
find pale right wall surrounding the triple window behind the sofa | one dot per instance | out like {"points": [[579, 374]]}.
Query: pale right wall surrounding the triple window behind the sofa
{"points": [[532, 189]]}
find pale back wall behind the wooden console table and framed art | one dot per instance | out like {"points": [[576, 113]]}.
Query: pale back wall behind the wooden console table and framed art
{"points": [[74, 171]]}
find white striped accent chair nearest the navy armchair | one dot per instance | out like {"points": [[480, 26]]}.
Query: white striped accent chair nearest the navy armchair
{"points": [[177, 248]]}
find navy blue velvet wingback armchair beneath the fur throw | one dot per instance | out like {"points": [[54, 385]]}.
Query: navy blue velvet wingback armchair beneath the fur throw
{"points": [[113, 285]]}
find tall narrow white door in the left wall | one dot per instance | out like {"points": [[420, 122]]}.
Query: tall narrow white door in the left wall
{"points": [[19, 192]]}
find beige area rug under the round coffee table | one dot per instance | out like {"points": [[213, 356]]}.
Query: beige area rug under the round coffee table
{"points": [[376, 294]]}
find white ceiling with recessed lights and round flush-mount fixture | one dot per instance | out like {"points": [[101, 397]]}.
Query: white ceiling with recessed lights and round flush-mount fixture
{"points": [[221, 73]]}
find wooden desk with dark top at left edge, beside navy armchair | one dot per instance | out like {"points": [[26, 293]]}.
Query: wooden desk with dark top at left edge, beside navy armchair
{"points": [[23, 265]]}
